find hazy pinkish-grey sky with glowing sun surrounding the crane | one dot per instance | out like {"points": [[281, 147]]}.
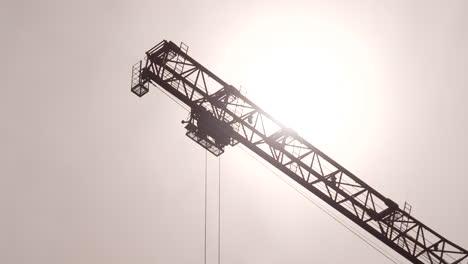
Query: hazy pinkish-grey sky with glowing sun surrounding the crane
{"points": [[92, 174]]}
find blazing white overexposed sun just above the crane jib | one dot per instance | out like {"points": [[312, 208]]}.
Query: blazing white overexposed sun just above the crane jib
{"points": [[310, 82]]}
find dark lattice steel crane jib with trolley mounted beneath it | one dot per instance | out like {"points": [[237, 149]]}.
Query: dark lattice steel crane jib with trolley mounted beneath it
{"points": [[221, 116]]}
